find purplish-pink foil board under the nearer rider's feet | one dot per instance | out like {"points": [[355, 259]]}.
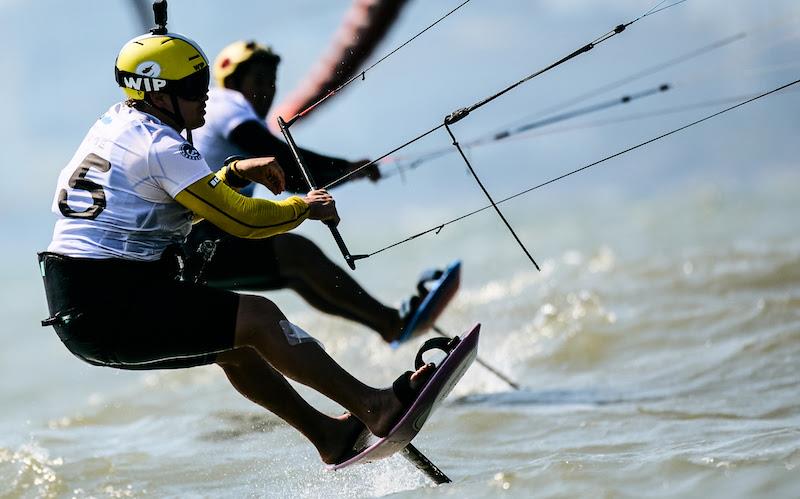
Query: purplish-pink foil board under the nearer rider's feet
{"points": [[430, 396]]}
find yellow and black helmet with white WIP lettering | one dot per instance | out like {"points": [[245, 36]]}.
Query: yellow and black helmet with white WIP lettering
{"points": [[168, 63]]}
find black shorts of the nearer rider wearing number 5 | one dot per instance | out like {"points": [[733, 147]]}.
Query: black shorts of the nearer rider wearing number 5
{"points": [[136, 315]]}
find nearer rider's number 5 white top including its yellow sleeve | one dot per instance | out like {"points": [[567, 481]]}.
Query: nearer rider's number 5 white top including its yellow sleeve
{"points": [[133, 185]]}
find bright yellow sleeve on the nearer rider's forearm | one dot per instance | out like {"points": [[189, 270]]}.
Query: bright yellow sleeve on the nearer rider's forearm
{"points": [[239, 215]]}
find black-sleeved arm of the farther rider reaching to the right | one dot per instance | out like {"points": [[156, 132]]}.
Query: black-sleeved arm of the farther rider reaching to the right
{"points": [[254, 138]]}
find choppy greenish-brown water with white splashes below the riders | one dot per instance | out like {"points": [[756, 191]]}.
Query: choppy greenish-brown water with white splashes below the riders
{"points": [[658, 360]]}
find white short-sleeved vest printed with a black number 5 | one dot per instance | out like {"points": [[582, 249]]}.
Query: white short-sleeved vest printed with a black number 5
{"points": [[115, 198]]}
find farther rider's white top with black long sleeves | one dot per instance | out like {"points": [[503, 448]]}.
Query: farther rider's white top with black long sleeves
{"points": [[233, 128]]}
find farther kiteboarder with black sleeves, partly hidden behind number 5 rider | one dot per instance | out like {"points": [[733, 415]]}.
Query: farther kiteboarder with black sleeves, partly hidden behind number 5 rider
{"points": [[245, 73]]}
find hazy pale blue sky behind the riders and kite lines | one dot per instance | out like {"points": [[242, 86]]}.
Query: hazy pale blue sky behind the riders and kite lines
{"points": [[59, 56]]}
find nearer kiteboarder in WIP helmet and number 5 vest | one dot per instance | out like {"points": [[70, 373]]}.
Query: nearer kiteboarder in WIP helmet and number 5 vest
{"points": [[127, 198]]}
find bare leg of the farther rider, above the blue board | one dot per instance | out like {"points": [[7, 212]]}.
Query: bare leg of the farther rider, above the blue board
{"points": [[329, 288]]}
